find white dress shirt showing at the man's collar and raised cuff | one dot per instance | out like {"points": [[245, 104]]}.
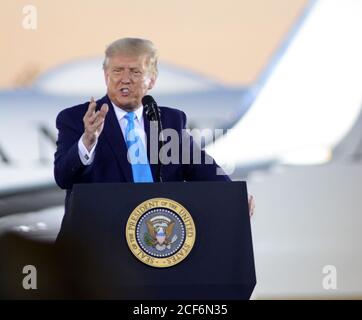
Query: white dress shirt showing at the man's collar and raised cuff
{"points": [[87, 157]]}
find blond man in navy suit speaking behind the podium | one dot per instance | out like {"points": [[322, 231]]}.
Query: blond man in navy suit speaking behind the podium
{"points": [[95, 138]]}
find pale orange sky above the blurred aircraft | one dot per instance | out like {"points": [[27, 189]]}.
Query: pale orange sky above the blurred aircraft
{"points": [[229, 41]]}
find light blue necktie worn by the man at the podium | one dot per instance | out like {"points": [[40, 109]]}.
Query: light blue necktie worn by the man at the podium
{"points": [[136, 152]]}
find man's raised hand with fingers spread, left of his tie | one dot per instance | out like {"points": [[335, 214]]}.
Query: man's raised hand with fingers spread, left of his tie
{"points": [[93, 123]]}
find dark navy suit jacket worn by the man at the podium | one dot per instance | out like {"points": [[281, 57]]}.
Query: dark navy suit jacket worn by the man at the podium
{"points": [[110, 163]]}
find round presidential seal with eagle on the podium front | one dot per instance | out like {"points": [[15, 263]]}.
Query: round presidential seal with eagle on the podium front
{"points": [[160, 232]]}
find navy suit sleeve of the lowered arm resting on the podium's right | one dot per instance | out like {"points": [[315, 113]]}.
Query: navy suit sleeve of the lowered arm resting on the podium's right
{"points": [[201, 167]]}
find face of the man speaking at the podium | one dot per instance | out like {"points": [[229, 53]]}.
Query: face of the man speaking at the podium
{"points": [[128, 79]]}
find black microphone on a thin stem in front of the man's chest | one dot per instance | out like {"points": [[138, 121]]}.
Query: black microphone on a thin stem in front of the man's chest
{"points": [[153, 113]]}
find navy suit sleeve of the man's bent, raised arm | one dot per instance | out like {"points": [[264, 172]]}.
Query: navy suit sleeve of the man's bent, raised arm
{"points": [[68, 167]]}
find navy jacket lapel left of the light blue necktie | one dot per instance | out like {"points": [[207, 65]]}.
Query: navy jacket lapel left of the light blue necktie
{"points": [[113, 133]]}
